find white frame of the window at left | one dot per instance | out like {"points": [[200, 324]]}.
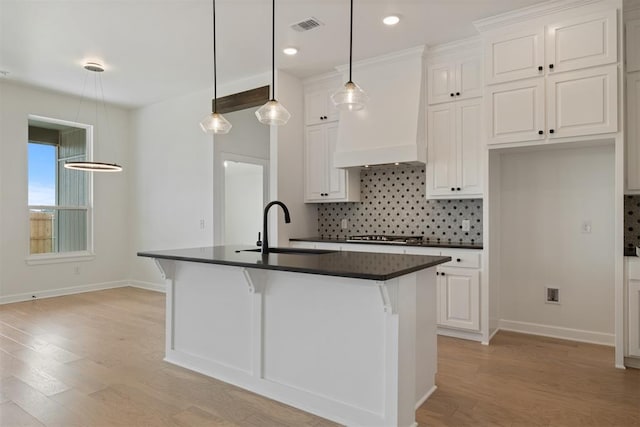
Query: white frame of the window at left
{"points": [[76, 256]]}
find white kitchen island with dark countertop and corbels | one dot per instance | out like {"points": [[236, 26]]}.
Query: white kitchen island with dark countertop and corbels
{"points": [[349, 336]]}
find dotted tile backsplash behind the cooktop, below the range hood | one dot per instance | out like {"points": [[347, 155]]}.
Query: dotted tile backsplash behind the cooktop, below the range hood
{"points": [[393, 202]]}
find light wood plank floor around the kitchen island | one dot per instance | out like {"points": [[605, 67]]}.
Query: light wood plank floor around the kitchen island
{"points": [[95, 359]]}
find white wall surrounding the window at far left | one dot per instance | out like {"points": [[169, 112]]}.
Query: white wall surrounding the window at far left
{"points": [[111, 209]]}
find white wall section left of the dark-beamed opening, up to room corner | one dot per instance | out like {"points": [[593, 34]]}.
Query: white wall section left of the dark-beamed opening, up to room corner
{"points": [[171, 180]]}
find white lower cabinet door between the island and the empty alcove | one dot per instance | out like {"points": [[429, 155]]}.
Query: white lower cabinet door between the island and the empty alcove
{"points": [[459, 298]]}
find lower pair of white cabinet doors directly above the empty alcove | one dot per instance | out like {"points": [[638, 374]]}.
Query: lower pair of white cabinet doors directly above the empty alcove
{"points": [[576, 103]]}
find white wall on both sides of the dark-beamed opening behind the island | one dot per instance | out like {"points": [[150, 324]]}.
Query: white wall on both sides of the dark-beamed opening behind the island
{"points": [[173, 184]]}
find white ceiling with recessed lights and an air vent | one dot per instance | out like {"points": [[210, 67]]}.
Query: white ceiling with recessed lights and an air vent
{"points": [[157, 49]]}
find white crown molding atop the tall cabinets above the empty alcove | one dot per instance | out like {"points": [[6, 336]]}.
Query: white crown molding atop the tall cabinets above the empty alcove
{"points": [[528, 13]]}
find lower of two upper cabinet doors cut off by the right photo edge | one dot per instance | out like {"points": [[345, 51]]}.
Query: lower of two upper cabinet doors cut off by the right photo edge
{"points": [[632, 139]]}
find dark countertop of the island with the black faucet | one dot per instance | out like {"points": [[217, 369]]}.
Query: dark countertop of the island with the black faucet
{"points": [[359, 265]]}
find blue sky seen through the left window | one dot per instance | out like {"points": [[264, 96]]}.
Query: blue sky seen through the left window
{"points": [[42, 174]]}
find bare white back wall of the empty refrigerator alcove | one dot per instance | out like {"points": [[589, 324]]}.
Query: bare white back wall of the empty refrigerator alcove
{"points": [[544, 198]]}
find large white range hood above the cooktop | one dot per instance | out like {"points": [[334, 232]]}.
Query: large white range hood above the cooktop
{"points": [[391, 127]]}
